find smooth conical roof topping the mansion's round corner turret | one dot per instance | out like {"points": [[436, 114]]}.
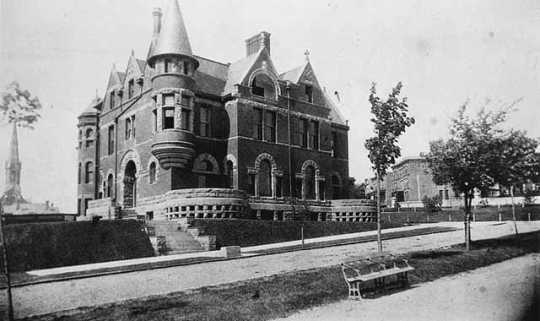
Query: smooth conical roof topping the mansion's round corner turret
{"points": [[172, 38]]}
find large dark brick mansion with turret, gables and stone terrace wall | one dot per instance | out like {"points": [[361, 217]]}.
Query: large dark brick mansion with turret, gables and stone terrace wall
{"points": [[179, 135]]}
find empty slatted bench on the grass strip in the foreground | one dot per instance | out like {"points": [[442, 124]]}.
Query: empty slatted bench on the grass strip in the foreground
{"points": [[378, 271]]}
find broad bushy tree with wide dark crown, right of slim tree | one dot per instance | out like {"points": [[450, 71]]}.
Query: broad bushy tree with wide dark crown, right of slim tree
{"points": [[479, 154]]}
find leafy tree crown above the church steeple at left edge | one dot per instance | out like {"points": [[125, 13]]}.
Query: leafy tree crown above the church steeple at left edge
{"points": [[19, 107]]}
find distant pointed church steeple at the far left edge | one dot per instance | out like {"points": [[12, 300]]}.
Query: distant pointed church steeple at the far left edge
{"points": [[12, 193]]}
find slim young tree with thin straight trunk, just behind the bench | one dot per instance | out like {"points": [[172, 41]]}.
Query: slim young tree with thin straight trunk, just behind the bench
{"points": [[390, 120]]}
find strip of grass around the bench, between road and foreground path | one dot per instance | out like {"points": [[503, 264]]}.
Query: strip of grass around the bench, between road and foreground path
{"points": [[281, 295]]}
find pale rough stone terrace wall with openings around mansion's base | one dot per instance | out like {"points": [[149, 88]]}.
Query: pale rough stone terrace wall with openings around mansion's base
{"points": [[221, 203]]}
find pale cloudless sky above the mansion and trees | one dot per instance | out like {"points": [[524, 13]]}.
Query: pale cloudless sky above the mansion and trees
{"points": [[444, 52]]}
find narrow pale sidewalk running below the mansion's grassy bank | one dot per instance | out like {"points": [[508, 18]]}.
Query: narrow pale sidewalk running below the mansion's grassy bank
{"points": [[124, 266]]}
